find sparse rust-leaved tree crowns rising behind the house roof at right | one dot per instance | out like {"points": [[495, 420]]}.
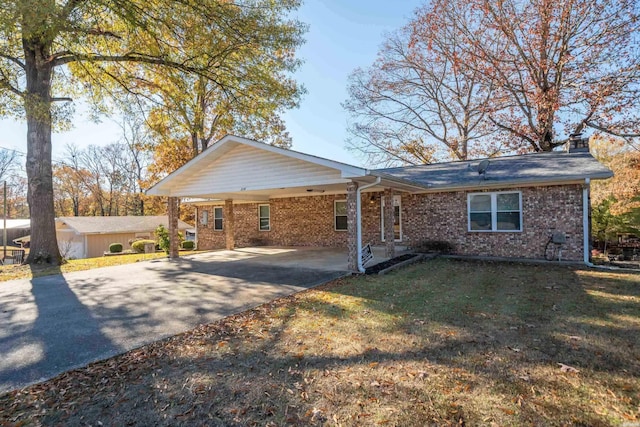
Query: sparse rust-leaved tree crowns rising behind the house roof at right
{"points": [[534, 73]]}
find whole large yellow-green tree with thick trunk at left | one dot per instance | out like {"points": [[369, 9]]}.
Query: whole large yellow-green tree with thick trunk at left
{"points": [[52, 50]]}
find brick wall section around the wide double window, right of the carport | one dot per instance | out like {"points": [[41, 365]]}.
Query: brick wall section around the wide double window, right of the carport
{"points": [[443, 216]]}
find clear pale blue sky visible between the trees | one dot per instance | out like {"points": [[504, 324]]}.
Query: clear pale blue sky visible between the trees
{"points": [[343, 35]]}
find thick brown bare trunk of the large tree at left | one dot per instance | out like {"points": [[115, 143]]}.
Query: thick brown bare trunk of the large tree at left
{"points": [[44, 245]]}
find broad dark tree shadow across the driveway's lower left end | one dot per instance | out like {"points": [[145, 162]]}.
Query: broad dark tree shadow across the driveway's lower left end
{"points": [[47, 330]]}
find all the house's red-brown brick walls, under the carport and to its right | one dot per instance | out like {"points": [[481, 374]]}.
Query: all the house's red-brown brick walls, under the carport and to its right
{"points": [[309, 221]]}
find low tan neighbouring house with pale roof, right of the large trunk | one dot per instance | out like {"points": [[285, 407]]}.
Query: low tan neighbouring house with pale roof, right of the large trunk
{"points": [[90, 236]]}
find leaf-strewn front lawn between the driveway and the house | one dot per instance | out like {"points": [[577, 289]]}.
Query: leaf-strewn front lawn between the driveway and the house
{"points": [[439, 343]]}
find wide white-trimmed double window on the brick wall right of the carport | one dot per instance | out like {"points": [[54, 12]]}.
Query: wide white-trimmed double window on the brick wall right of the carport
{"points": [[497, 211]]}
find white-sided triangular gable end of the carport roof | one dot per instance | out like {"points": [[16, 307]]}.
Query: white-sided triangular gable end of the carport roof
{"points": [[245, 168]]}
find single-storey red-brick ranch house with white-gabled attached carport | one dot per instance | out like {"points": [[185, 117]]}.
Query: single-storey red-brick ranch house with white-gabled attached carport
{"points": [[251, 194]]}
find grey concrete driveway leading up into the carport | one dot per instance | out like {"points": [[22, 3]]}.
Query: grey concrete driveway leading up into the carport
{"points": [[52, 324]]}
